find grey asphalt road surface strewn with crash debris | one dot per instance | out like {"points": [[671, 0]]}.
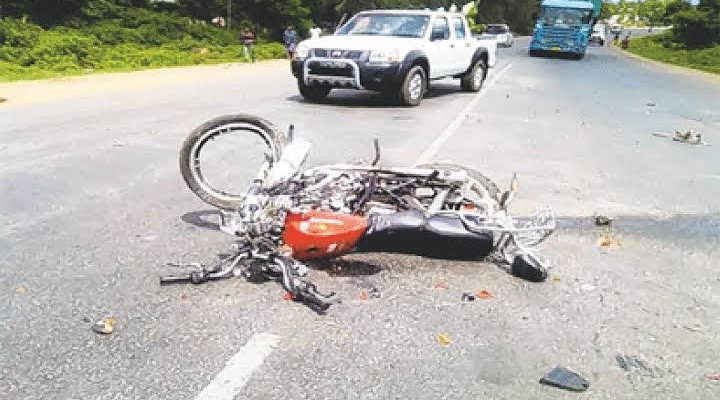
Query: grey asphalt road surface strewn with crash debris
{"points": [[93, 206]]}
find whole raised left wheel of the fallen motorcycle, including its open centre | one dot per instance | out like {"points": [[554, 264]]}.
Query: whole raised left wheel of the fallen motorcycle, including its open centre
{"points": [[221, 157]]}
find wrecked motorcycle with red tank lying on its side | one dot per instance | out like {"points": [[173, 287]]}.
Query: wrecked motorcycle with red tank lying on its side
{"points": [[288, 215]]}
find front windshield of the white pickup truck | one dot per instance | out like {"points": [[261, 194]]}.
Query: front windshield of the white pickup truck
{"points": [[386, 25]]}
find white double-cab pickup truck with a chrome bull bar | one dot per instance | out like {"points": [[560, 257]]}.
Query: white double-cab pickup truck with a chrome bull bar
{"points": [[396, 52]]}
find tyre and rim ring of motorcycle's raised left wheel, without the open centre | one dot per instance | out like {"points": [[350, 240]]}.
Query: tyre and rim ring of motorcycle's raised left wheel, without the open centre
{"points": [[243, 124]]}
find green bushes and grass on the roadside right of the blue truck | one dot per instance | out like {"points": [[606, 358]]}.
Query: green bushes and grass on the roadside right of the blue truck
{"points": [[693, 41]]}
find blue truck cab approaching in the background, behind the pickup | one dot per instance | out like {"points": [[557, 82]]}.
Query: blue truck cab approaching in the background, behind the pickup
{"points": [[563, 26]]}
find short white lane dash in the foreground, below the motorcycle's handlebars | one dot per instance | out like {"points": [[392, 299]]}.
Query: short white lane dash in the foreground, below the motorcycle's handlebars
{"points": [[228, 382]]}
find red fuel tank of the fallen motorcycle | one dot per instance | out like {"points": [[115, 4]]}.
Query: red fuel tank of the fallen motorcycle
{"points": [[318, 234]]}
